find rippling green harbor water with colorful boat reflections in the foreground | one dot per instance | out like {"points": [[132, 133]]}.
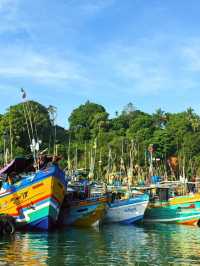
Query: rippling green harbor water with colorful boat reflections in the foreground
{"points": [[159, 244]]}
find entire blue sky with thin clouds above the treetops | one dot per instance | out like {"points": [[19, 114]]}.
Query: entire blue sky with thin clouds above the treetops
{"points": [[112, 52]]}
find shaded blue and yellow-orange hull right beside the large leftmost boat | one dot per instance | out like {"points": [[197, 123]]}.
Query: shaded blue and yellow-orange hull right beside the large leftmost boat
{"points": [[84, 213]]}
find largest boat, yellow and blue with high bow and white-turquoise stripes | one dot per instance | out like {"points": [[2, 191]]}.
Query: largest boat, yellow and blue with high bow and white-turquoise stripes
{"points": [[35, 200]]}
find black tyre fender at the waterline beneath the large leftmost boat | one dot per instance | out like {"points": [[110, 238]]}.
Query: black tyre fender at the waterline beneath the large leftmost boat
{"points": [[7, 225]]}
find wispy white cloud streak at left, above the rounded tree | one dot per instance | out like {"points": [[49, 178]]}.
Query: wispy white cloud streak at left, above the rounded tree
{"points": [[26, 64]]}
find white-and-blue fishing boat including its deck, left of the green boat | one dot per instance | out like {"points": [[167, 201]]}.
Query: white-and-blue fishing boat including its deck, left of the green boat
{"points": [[126, 207]]}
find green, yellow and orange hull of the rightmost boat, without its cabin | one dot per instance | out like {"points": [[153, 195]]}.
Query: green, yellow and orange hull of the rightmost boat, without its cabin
{"points": [[180, 210]]}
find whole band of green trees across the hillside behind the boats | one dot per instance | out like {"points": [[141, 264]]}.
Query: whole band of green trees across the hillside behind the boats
{"points": [[90, 127]]}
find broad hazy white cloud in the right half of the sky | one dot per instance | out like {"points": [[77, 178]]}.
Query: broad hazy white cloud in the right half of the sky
{"points": [[147, 67]]}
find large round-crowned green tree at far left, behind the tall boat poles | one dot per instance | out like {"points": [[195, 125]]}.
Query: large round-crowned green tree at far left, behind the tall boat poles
{"points": [[26, 121]]}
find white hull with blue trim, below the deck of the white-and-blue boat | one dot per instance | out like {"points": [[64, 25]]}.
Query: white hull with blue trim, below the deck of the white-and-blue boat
{"points": [[127, 211]]}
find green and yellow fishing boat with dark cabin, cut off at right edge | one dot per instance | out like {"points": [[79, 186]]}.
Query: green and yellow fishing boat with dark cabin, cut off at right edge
{"points": [[174, 202]]}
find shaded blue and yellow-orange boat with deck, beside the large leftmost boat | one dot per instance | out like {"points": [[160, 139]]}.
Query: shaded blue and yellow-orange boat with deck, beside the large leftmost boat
{"points": [[83, 206]]}
